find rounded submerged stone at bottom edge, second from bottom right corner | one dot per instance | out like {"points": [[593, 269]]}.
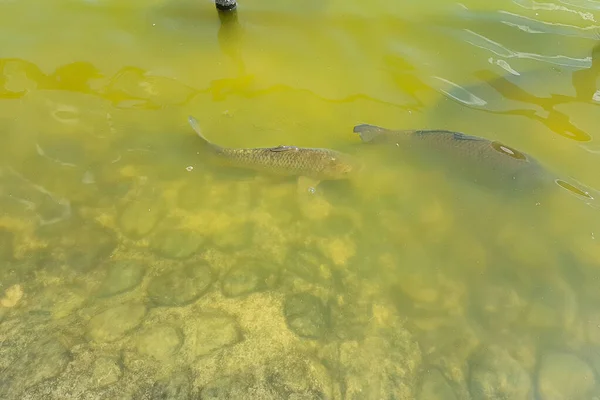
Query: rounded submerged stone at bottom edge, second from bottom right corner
{"points": [[496, 375]]}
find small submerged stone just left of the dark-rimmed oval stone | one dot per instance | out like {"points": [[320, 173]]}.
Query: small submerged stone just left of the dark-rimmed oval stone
{"points": [[121, 276]]}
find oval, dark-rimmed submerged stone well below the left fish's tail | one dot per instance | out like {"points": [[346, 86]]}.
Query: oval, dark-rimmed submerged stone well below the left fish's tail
{"points": [[180, 286]]}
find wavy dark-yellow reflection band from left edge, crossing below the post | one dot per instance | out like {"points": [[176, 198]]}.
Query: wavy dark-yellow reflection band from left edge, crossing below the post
{"points": [[134, 88]]}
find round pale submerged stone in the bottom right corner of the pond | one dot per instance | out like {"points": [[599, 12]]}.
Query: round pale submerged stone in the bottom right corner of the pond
{"points": [[564, 376]]}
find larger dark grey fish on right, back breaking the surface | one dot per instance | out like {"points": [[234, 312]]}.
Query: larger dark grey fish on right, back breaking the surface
{"points": [[483, 161]]}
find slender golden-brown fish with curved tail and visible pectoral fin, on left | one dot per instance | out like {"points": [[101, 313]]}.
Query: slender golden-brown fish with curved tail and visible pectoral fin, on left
{"points": [[310, 165]]}
